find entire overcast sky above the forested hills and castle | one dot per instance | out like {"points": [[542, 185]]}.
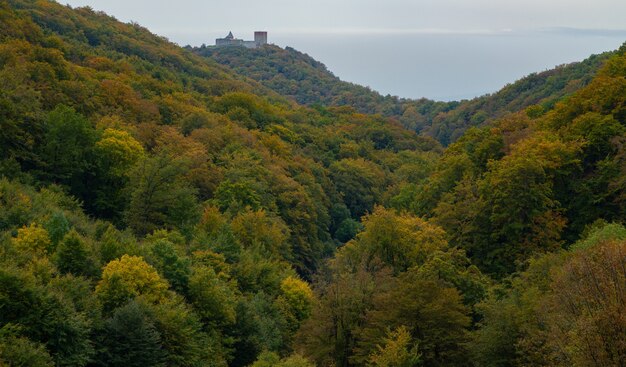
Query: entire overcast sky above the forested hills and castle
{"points": [[400, 47]]}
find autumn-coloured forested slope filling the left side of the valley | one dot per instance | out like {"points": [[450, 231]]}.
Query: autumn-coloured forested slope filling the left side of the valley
{"points": [[157, 208]]}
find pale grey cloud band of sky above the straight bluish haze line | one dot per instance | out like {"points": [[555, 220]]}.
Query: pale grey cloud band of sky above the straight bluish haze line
{"points": [[184, 20]]}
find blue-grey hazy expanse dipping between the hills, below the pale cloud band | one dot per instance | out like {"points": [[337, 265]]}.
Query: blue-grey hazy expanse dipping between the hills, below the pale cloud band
{"points": [[447, 66]]}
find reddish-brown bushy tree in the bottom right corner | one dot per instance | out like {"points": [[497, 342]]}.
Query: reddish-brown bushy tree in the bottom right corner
{"points": [[585, 308]]}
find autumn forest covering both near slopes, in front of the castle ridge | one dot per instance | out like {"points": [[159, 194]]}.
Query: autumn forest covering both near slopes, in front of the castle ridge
{"points": [[160, 209]]}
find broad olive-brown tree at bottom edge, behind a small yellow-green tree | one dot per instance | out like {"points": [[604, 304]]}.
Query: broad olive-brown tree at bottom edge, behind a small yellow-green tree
{"points": [[431, 310]]}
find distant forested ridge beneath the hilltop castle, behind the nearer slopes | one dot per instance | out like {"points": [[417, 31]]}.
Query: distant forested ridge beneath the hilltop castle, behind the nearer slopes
{"points": [[302, 78]]}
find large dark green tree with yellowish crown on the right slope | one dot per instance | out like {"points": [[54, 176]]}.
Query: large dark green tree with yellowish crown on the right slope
{"points": [[520, 215]]}
